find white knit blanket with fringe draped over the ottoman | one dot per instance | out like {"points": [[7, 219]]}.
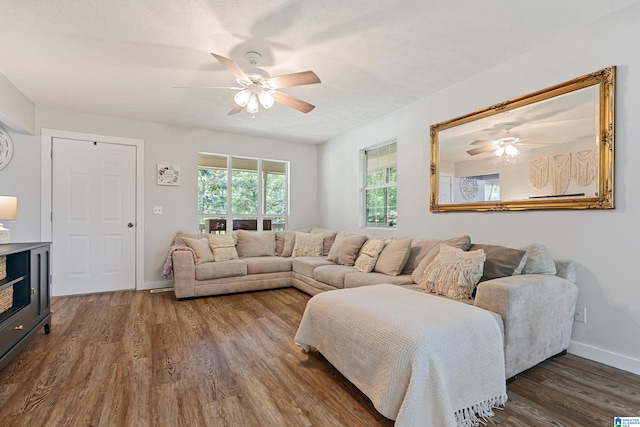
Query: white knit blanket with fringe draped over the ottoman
{"points": [[421, 359]]}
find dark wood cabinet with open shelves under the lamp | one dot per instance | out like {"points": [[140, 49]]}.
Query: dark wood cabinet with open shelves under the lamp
{"points": [[28, 276]]}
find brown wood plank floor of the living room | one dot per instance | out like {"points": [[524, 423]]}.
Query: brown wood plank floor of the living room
{"points": [[142, 359]]}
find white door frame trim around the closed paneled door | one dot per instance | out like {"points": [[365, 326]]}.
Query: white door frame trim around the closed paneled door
{"points": [[46, 186]]}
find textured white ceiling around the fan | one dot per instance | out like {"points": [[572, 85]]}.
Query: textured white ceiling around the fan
{"points": [[122, 57]]}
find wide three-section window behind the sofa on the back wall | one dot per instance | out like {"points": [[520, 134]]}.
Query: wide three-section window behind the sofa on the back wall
{"points": [[238, 193]]}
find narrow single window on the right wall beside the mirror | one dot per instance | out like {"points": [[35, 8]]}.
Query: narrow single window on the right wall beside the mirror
{"points": [[380, 186]]}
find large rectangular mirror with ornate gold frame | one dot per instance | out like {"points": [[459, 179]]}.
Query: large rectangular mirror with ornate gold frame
{"points": [[552, 149]]}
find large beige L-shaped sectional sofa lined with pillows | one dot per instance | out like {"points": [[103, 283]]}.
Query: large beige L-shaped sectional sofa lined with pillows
{"points": [[533, 295]]}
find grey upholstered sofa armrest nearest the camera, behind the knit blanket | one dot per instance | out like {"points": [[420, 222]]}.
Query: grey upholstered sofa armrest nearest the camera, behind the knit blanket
{"points": [[537, 311]]}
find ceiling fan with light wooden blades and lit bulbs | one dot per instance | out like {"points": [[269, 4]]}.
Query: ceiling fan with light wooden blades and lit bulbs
{"points": [[257, 88]]}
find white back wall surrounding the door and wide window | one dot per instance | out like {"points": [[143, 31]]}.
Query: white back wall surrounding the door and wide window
{"points": [[163, 144]]}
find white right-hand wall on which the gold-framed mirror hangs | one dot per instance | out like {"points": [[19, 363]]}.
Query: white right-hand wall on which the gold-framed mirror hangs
{"points": [[602, 244]]}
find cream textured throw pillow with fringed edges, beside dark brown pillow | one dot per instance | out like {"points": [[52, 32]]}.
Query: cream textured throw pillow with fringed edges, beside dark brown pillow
{"points": [[454, 272]]}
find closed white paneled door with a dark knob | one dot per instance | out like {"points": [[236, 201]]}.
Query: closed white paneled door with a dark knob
{"points": [[93, 206]]}
